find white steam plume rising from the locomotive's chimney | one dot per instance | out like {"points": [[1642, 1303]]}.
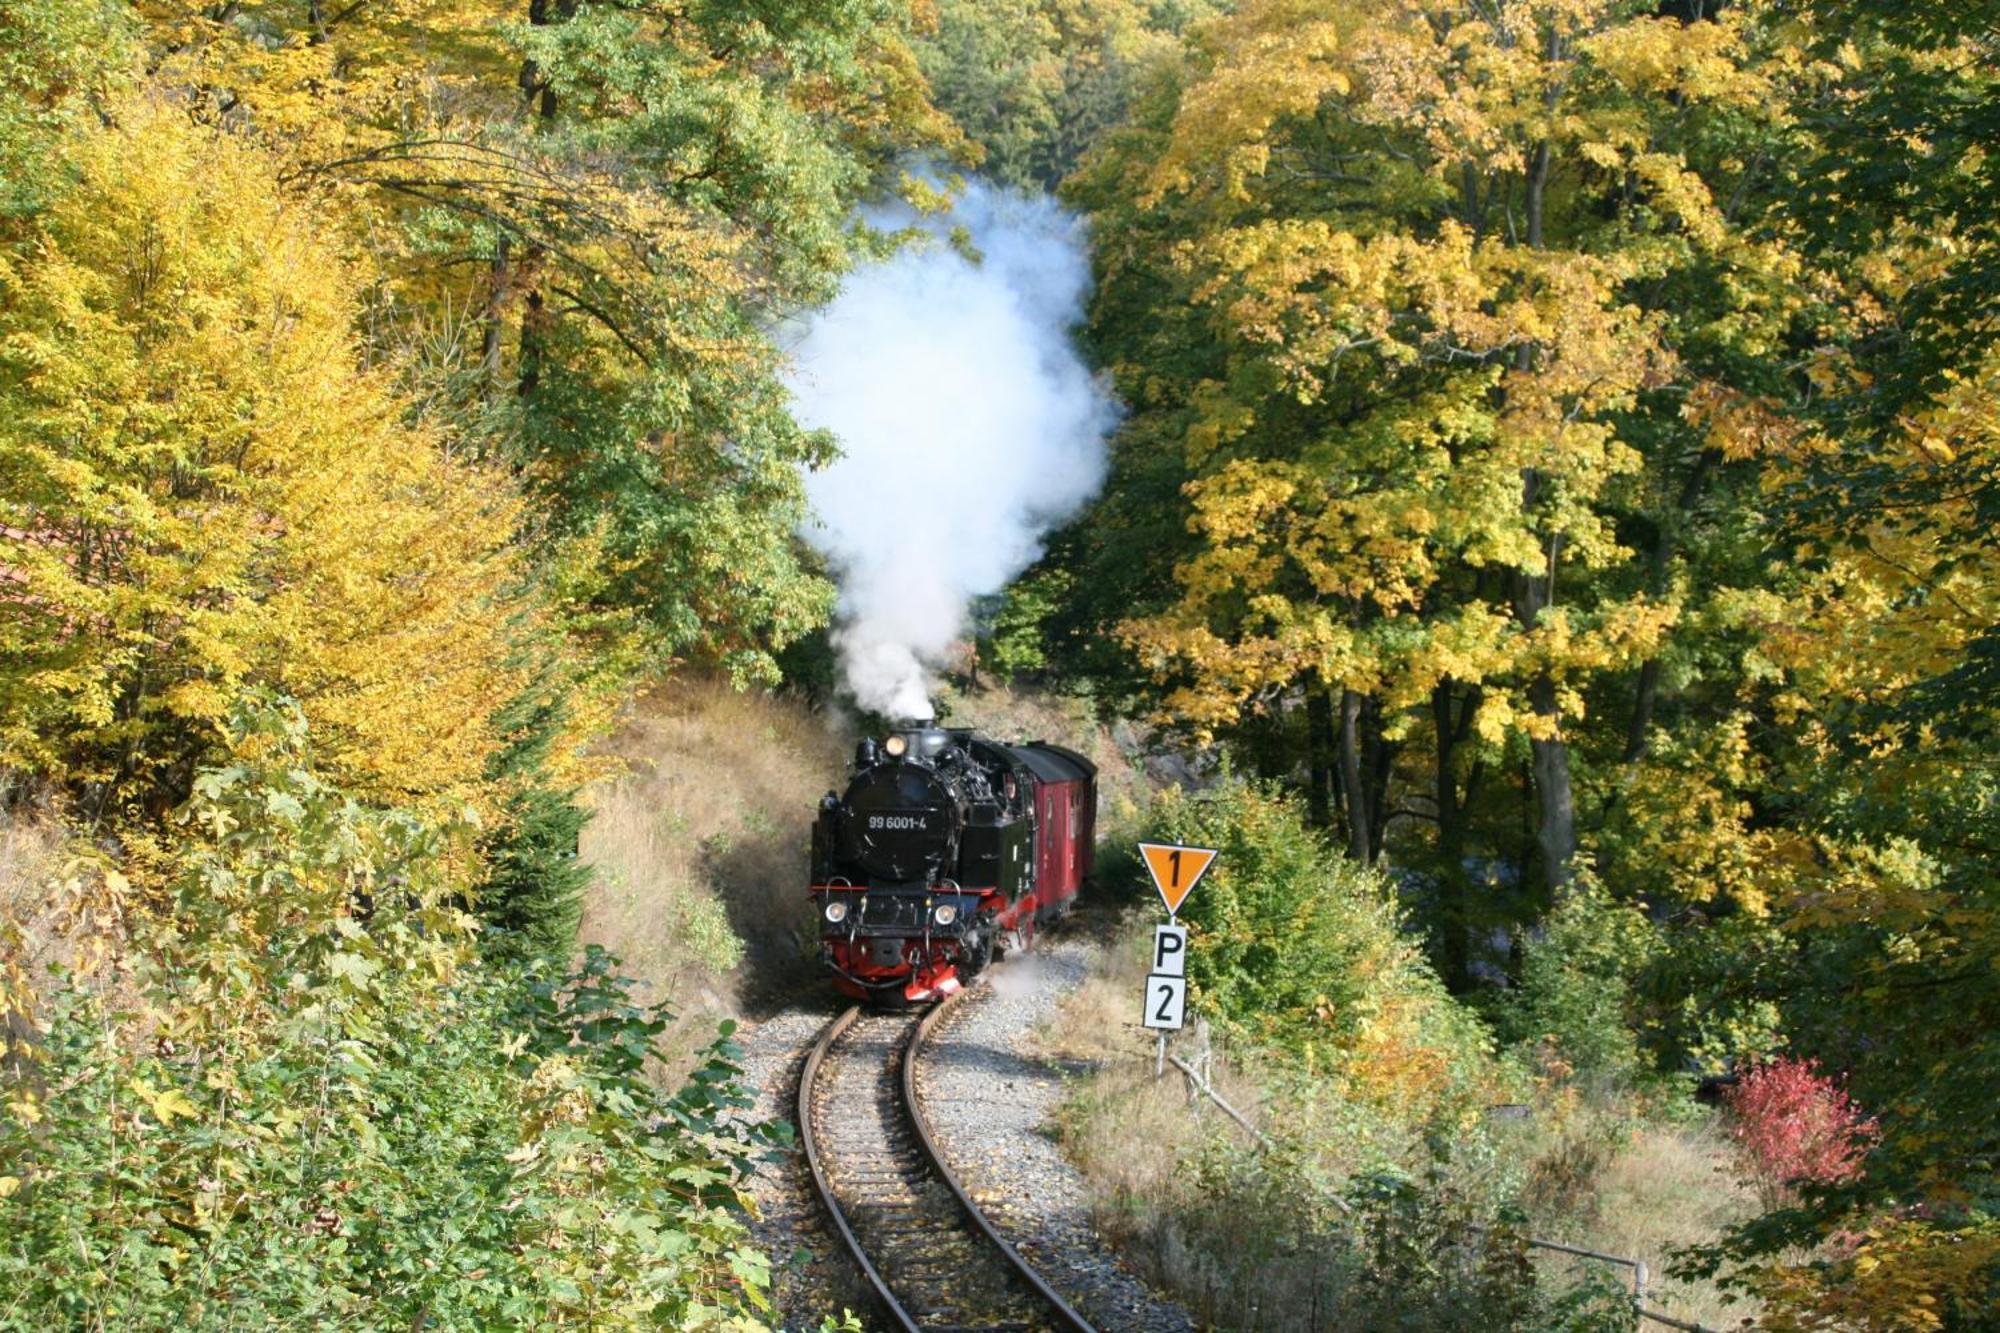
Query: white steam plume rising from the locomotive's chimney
{"points": [[967, 427]]}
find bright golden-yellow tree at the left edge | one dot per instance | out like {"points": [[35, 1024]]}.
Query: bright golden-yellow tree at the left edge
{"points": [[203, 489]]}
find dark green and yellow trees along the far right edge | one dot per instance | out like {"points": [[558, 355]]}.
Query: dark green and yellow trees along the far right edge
{"points": [[1881, 766]]}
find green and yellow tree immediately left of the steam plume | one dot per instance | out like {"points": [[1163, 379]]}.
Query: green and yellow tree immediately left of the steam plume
{"points": [[591, 223]]}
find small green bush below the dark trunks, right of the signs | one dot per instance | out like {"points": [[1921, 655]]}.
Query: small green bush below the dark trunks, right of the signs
{"points": [[1575, 996]]}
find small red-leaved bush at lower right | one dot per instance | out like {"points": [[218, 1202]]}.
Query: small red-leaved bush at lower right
{"points": [[1797, 1126]]}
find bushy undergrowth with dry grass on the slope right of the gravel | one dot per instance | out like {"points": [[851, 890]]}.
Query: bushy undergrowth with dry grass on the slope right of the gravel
{"points": [[1383, 1146]]}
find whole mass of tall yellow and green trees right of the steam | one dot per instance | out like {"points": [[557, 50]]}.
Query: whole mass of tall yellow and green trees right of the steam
{"points": [[1563, 441]]}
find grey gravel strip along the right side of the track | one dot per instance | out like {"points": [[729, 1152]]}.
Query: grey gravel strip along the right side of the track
{"points": [[989, 1108]]}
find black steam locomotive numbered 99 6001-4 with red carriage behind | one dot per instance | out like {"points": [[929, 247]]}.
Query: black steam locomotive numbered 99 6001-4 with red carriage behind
{"points": [[945, 852]]}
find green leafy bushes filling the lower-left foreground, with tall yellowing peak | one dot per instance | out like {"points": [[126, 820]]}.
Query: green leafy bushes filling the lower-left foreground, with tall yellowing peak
{"points": [[321, 1108]]}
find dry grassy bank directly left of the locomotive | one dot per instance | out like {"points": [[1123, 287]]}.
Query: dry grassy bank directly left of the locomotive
{"points": [[701, 850]]}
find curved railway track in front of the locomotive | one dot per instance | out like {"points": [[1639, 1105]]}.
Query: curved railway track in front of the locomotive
{"points": [[931, 1256]]}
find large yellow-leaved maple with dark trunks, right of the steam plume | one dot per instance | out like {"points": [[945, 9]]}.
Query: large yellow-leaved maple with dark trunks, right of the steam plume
{"points": [[1465, 279]]}
